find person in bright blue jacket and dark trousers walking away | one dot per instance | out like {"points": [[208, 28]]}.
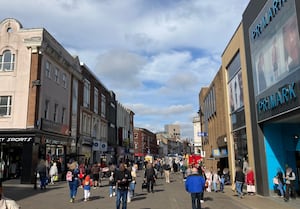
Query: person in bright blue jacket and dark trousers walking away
{"points": [[195, 184]]}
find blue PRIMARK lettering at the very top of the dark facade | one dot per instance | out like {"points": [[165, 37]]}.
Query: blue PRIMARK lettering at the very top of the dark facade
{"points": [[268, 16]]}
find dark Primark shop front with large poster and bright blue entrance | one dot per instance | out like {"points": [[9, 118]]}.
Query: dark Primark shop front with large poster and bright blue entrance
{"points": [[271, 28]]}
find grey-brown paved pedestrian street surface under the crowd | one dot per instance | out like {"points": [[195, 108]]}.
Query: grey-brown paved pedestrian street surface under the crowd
{"points": [[169, 196]]}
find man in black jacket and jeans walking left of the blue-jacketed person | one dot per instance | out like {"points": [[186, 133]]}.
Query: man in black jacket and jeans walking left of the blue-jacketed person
{"points": [[122, 179]]}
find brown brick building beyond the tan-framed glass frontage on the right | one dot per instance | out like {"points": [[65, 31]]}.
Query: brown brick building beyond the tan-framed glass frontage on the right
{"points": [[212, 112]]}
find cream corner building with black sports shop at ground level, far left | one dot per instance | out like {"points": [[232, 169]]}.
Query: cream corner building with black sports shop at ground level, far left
{"points": [[36, 74]]}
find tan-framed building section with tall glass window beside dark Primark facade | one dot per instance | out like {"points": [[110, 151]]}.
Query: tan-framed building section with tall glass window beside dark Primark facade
{"points": [[239, 135]]}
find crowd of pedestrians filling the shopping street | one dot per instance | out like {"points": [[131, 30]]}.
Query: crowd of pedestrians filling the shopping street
{"points": [[196, 177]]}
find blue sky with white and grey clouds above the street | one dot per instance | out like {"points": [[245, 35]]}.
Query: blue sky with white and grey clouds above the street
{"points": [[155, 55]]}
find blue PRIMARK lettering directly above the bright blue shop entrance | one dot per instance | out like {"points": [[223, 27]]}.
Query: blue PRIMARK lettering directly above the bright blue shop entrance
{"points": [[281, 97]]}
